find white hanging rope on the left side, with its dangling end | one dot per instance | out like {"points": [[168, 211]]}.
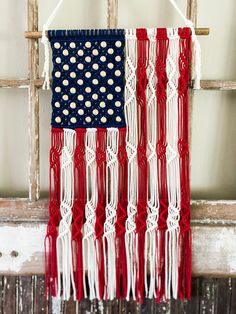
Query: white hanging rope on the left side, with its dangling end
{"points": [[45, 42]]}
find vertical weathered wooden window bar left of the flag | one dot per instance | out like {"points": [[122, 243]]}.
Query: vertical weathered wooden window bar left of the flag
{"points": [[33, 113]]}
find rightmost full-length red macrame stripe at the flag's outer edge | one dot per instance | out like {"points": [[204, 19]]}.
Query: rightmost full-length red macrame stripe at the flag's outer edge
{"points": [[184, 276]]}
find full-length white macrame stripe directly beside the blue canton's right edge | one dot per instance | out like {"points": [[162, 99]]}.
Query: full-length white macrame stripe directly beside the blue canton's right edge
{"points": [[131, 148]]}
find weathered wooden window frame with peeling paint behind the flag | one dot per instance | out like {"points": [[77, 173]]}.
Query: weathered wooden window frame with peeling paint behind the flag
{"points": [[213, 223]]}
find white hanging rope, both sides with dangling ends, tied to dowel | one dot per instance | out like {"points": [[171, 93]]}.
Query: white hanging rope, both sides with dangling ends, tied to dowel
{"points": [[188, 23]]}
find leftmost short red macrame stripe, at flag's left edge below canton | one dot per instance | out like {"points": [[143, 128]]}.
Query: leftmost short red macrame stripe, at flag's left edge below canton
{"points": [[51, 272]]}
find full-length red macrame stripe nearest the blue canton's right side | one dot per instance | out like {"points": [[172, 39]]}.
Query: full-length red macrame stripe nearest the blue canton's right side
{"points": [[142, 64]]}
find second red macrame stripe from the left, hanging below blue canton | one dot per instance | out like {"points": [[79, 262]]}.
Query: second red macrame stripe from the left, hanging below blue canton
{"points": [[78, 210]]}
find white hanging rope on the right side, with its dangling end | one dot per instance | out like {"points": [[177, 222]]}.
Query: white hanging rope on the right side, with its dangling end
{"points": [[196, 47]]}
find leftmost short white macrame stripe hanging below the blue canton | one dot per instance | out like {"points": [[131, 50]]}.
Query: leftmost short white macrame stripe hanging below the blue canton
{"points": [[64, 250]]}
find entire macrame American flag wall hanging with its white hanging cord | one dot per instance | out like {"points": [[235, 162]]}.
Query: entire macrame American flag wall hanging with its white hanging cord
{"points": [[119, 207]]}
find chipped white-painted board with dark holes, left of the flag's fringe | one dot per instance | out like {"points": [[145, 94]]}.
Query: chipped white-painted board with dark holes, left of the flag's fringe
{"points": [[27, 241]]}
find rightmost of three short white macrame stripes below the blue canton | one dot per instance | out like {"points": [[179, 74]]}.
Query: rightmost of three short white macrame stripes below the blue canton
{"points": [[109, 245]]}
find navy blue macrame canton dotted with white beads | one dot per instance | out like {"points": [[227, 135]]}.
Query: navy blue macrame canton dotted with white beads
{"points": [[88, 78]]}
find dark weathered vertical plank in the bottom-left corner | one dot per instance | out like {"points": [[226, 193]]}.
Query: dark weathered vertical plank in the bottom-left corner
{"points": [[9, 295]]}
